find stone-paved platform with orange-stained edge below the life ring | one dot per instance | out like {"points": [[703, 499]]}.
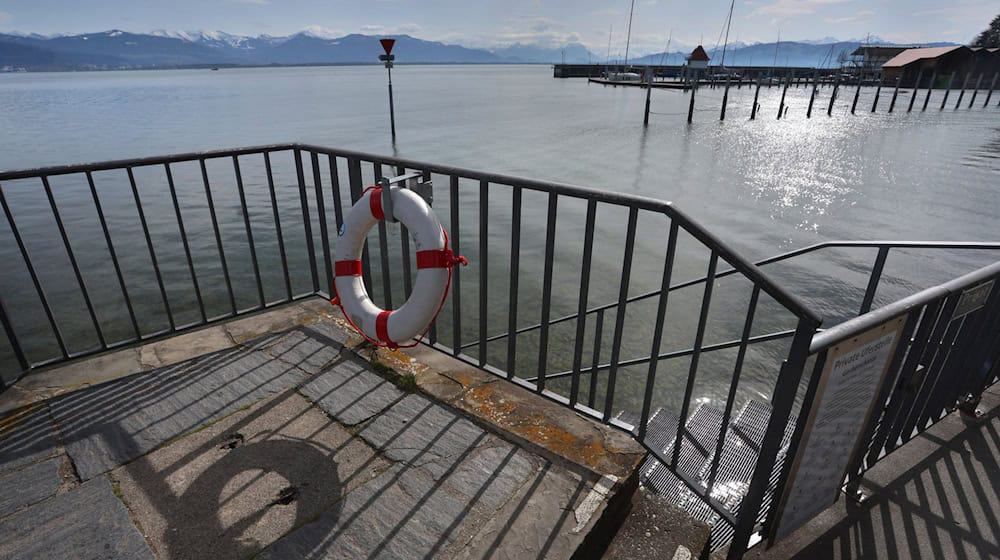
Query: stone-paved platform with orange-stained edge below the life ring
{"points": [[299, 444]]}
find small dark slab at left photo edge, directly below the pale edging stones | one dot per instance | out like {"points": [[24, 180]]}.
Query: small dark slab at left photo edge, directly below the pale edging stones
{"points": [[26, 436]]}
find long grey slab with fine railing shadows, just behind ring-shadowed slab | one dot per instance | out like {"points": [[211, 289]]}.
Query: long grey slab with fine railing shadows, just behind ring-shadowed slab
{"points": [[109, 425]]}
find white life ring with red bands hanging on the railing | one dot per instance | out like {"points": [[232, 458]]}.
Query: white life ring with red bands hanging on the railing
{"points": [[435, 260]]}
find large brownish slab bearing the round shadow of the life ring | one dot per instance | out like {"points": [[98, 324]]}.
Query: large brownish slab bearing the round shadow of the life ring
{"points": [[197, 498]]}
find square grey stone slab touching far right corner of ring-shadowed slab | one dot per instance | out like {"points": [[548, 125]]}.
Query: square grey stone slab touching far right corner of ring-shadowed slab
{"points": [[350, 392]]}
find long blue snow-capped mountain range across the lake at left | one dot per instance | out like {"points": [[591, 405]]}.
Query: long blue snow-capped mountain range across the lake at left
{"points": [[117, 49]]}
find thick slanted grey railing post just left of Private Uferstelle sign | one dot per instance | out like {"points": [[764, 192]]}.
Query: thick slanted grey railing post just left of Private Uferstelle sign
{"points": [[785, 389]]}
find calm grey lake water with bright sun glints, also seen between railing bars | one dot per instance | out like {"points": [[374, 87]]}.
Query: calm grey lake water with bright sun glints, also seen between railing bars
{"points": [[765, 186]]}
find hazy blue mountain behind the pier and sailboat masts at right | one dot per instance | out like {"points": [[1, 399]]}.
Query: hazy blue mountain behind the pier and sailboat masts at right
{"points": [[789, 53]]}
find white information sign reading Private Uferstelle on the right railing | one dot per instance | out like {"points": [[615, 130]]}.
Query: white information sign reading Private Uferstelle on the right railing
{"points": [[851, 379]]}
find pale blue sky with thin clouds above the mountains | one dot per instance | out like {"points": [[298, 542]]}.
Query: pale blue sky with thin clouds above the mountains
{"points": [[489, 23]]}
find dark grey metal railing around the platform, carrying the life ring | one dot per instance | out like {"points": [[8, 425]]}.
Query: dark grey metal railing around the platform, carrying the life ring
{"points": [[210, 249]]}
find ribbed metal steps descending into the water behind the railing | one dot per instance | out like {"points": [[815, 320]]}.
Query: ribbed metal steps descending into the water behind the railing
{"points": [[736, 462]]}
